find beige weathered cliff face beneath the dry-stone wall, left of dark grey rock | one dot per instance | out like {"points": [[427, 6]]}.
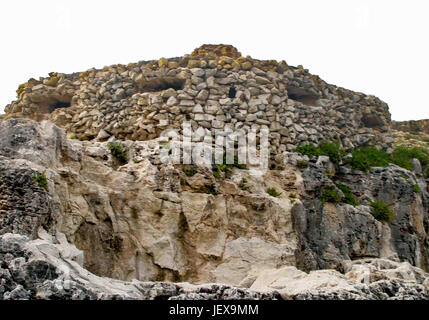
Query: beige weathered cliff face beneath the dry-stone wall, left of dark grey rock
{"points": [[138, 221]]}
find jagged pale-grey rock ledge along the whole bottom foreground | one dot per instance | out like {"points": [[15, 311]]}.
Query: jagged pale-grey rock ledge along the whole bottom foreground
{"points": [[41, 269]]}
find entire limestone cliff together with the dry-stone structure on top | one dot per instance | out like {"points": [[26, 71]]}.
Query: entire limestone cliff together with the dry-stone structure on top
{"points": [[72, 206]]}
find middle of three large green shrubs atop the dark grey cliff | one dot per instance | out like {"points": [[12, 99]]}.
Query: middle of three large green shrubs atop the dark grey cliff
{"points": [[364, 158]]}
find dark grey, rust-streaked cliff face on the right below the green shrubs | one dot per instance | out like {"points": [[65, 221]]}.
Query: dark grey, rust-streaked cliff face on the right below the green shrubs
{"points": [[331, 233]]}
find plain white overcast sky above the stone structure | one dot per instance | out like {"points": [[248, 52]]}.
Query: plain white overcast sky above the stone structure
{"points": [[376, 47]]}
